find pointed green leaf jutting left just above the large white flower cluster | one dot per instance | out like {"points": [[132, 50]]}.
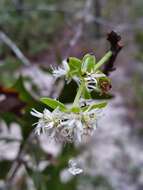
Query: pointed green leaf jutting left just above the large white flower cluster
{"points": [[53, 103]]}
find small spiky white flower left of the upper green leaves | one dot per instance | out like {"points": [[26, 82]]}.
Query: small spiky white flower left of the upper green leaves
{"points": [[61, 71]]}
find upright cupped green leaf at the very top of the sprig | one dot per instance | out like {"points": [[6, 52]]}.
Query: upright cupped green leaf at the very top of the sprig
{"points": [[88, 63]]}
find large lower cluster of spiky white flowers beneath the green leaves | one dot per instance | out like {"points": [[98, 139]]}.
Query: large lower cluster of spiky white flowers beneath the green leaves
{"points": [[65, 127]]}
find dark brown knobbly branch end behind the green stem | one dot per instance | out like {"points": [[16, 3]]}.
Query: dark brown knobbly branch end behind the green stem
{"points": [[115, 47]]}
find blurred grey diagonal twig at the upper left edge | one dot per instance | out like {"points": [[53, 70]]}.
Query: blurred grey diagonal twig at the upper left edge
{"points": [[5, 39]]}
